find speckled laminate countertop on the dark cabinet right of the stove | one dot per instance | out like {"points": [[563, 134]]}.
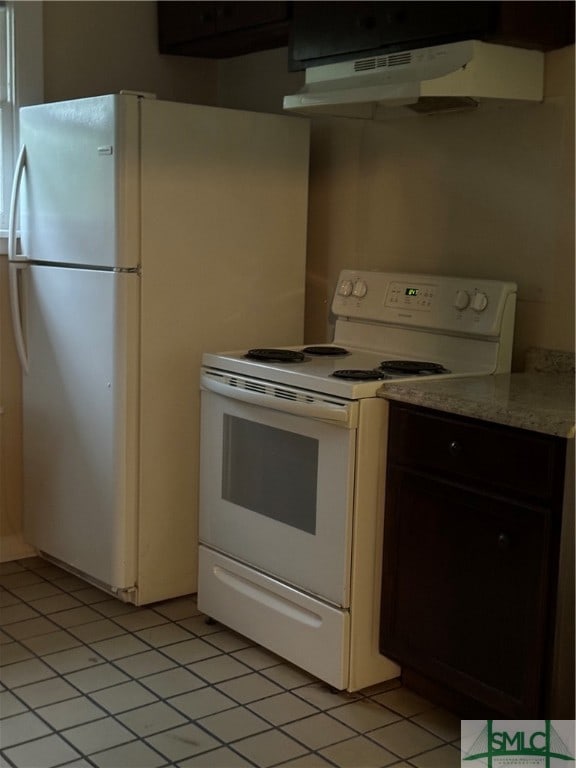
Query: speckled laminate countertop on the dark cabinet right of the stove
{"points": [[541, 402]]}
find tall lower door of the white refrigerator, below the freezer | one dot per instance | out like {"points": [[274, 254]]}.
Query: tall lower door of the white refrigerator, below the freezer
{"points": [[80, 420]]}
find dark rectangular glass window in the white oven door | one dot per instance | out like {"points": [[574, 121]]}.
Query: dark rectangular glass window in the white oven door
{"points": [[270, 471]]}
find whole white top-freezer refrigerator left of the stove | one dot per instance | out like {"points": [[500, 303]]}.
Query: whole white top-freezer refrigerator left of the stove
{"points": [[151, 231]]}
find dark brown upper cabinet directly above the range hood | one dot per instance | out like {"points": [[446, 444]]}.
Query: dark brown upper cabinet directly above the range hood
{"points": [[324, 32]]}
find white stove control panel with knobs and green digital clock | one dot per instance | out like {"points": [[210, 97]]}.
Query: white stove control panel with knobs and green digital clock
{"points": [[457, 305]]}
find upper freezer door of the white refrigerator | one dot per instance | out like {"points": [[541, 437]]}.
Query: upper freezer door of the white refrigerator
{"points": [[79, 198]]}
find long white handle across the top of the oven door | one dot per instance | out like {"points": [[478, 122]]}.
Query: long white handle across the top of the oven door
{"points": [[278, 398]]}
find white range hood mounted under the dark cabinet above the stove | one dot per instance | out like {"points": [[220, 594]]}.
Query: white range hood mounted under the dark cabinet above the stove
{"points": [[453, 76]]}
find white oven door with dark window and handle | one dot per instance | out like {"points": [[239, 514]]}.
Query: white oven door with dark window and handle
{"points": [[277, 482]]}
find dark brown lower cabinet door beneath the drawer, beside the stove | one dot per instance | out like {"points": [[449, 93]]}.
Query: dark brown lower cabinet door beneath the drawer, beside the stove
{"points": [[465, 598]]}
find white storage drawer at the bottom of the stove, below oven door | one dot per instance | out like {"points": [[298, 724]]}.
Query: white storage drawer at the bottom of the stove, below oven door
{"points": [[300, 629]]}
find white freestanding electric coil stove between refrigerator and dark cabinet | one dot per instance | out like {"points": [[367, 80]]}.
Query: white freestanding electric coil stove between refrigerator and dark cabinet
{"points": [[293, 463]]}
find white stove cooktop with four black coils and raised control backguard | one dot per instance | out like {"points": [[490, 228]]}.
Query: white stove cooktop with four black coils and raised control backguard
{"points": [[419, 325]]}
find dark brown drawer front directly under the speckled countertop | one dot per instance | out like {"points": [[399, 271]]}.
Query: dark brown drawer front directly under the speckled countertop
{"points": [[505, 458]]}
